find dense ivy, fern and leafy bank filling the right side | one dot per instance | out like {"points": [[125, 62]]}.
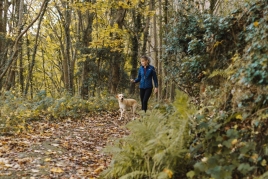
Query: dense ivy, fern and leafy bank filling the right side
{"points": [[222, 60]]}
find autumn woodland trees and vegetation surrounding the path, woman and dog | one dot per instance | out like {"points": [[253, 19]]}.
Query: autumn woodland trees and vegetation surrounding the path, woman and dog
{"points": [[66, 58]]}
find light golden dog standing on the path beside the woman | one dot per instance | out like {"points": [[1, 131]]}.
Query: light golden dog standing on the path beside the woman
{"points": [[126, 103]]}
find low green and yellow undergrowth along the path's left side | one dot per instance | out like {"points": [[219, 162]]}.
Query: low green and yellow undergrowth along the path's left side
{"points": [[16, 111]]}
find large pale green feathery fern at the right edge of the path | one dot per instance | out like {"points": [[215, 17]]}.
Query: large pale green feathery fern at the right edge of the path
{"points": [[156, 143]]}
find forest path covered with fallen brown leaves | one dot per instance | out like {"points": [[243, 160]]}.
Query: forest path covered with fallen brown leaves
{"points": [[60, 149]]}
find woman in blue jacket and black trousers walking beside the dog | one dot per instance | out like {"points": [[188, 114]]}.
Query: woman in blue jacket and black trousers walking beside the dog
{"points": [[146, 74]]}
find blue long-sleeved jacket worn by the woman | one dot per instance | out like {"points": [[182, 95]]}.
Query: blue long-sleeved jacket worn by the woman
{"points": [[146, 80]]}
